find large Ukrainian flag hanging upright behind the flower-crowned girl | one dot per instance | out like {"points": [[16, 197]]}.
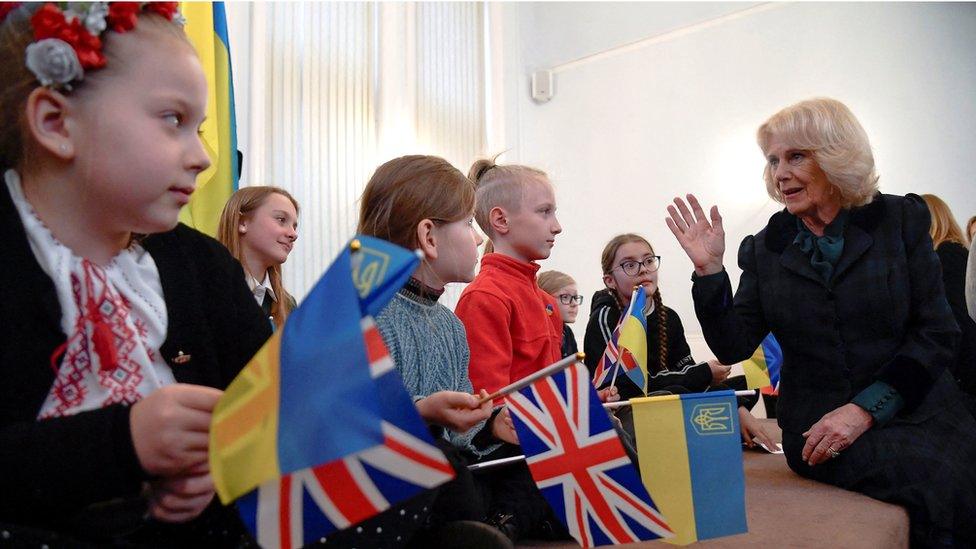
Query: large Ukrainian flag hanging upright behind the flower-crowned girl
{"points": [[206, 27]]}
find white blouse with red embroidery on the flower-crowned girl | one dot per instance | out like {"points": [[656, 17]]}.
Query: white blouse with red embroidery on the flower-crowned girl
{"points": [[114, 317]]}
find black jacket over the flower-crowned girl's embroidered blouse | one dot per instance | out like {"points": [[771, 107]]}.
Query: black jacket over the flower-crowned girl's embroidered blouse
{"points": [[52, 468]]}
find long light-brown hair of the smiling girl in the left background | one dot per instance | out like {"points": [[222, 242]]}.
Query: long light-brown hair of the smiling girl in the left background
{"points": [[239, 207]]}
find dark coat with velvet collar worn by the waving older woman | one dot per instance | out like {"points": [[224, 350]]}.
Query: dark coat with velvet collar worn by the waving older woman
{"points": [[883, 316]]}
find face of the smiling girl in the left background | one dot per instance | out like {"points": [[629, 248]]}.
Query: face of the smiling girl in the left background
{"points": [[269, 231]]}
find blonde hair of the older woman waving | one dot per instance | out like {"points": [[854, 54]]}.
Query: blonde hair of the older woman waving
{"points": [[837, 141]]}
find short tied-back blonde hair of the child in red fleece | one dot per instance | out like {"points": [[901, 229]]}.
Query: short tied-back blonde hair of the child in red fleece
{"points": [[499, 186]]}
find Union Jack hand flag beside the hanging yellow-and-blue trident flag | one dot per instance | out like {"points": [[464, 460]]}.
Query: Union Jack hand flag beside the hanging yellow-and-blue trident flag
{"points": [[579, 463]]}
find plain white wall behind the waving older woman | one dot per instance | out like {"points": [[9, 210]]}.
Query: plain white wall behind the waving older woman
{"points": [[629, 130]]}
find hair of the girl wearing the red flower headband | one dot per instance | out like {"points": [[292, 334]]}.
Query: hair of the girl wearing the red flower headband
{"points": [[17, 82]]}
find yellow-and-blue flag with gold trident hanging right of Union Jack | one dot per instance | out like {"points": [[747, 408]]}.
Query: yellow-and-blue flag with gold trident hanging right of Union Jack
{"points": [[691, 462]]}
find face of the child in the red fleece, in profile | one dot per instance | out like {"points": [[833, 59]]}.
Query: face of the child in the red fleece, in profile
{"points": [[533, 228]]}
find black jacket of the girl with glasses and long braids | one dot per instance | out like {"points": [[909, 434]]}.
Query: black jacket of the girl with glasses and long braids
{"points": [[682, 372]]}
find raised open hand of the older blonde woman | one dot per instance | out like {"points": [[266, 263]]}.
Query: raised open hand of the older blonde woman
{"points": [[702, 239]]}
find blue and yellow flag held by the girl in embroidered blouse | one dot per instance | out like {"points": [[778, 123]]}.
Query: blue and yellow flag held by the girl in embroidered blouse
{"points": [[308, 397]]}
